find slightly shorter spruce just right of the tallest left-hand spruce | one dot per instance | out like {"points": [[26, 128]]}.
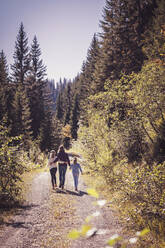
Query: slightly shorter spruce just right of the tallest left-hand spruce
{"points": [[35, 86]]}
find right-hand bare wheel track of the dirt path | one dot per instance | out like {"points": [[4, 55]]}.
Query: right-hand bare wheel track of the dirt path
{"points": [[105, 223]]}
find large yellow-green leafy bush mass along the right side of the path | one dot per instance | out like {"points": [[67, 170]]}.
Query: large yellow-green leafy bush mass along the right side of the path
{"points": [[124, 141]]}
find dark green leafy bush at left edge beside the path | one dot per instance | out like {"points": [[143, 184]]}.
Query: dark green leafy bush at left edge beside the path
{"points": [[11, 168]]}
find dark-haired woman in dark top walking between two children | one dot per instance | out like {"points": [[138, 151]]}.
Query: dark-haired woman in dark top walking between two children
{"points": [[63, 160]]}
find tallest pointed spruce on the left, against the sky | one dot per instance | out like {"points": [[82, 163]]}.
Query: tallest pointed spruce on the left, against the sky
{"points": [[21, 120]]}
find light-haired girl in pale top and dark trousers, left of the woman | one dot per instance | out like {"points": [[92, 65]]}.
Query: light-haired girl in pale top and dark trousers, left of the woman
{"points": [[53, 168]]}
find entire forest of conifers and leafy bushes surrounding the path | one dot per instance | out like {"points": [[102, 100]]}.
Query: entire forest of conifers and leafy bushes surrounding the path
{"points": [[113, 111]]}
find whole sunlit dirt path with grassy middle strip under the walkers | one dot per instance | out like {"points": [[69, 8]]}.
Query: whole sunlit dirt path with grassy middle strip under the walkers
{"points": [[48, 216]]}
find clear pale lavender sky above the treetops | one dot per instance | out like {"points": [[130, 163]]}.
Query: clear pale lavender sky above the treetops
{"points": [[64, 29]]}
